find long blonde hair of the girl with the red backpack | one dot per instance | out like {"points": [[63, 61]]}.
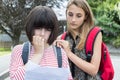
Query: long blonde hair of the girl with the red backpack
{"points": [[88, 23]]}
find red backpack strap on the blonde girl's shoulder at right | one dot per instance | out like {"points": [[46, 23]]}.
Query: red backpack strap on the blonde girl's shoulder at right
{"points": [[89, 43]]}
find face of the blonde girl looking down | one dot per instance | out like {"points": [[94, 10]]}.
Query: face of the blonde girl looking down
{"points": [[75, 17]]}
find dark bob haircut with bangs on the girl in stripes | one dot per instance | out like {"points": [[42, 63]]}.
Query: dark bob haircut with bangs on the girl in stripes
{"points": [[42, 17]]}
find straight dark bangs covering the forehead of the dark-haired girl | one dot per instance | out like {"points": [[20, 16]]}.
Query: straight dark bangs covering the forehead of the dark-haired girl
{"points": [[43, 20]]}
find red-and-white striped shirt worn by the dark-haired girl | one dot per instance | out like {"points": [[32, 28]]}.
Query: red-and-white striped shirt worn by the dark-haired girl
{"points": [[17, 68]]}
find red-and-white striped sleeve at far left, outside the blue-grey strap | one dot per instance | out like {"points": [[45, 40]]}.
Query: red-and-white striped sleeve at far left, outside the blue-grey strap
{"points": [[17, 70]]}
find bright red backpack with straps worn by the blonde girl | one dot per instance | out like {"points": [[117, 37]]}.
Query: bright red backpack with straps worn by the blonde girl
{"points": [[106, 68]]}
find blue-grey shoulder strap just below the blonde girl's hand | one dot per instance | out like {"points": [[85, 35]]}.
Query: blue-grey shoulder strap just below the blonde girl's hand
{"points": [[58, 54]]}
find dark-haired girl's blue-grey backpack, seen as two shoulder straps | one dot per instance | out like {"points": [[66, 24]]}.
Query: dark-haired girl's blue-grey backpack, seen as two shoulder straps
{"points": [[27, 48]]}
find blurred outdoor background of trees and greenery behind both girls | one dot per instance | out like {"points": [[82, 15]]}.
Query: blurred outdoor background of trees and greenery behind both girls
{"points": [[14, 12]]}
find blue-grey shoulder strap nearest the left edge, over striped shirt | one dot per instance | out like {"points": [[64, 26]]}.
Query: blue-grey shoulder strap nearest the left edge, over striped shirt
{"points": [[26, 51]]}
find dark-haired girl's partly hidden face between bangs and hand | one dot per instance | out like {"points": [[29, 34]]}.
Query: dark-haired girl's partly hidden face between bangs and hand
{"points": [[42, 32]]}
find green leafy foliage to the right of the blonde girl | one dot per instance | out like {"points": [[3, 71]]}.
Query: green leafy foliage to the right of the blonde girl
{"points": [[107, 16]]}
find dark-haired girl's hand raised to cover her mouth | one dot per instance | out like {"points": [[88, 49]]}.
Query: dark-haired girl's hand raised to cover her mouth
{"points": [[38, 44]]}
